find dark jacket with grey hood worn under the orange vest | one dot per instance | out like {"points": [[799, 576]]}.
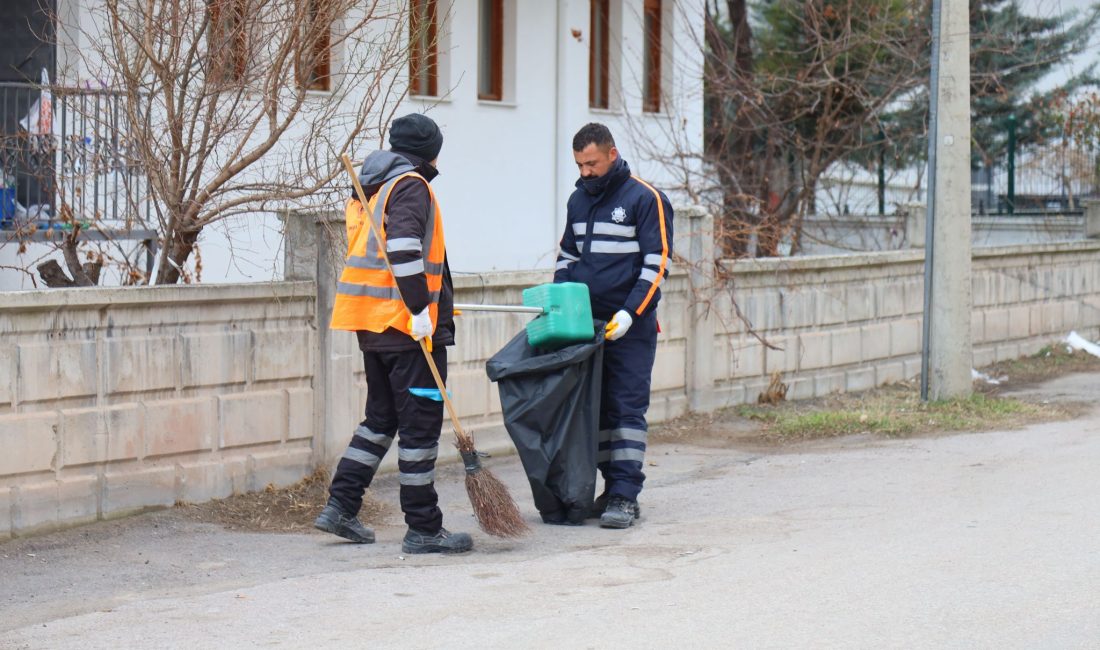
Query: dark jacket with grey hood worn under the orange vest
{"points": [[408, 217]]}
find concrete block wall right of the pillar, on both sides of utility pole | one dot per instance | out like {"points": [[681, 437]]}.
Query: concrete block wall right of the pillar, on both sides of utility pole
{"points": [[852, 323]]}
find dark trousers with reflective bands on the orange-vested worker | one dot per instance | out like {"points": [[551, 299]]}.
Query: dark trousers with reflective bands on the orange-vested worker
{"points": [[394, 381]]}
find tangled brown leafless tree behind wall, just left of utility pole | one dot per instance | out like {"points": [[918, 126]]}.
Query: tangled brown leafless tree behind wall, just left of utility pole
{"points": [[810, 91]]}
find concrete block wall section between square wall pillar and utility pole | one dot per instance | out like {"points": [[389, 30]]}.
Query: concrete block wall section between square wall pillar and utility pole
{"points": [[826, 324]]}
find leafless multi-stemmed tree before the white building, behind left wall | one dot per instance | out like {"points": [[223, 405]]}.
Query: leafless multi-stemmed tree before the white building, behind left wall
{"points": [[239, 107]]}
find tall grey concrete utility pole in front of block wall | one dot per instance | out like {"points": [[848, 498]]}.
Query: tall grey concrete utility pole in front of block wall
{"points": [[948, 356]]}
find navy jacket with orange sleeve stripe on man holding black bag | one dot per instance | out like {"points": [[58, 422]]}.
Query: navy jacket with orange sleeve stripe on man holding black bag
{"points": [[628, 255]]}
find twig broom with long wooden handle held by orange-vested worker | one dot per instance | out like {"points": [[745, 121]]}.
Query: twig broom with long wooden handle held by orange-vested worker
{"points": [[494, 508]]}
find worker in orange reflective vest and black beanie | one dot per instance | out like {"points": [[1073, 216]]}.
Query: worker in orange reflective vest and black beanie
{"points": [[390, 313]]}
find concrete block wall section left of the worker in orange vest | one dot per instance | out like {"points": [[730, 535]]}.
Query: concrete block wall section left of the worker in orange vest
{"points": [[115, 401]]}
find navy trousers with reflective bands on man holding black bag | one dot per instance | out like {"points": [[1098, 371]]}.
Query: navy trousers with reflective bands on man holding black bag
{"points": [[629, 368]]}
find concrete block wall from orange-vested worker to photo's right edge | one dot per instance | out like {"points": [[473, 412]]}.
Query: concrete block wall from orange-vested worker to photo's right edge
{"points": [[840, 324]]}
